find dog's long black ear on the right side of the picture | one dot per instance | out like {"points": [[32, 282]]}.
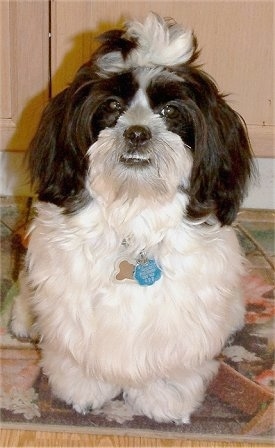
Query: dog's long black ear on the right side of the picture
{"points": [[222, 157]]}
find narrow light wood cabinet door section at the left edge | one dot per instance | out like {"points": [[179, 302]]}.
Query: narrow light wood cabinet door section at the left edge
{"points": [[24, 52]]}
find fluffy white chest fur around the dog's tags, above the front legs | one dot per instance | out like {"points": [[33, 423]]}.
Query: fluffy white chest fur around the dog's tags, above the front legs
{"points": [[81, 307]]}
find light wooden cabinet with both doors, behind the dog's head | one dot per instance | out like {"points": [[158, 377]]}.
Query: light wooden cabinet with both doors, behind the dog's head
{"points": [[236, 39]]}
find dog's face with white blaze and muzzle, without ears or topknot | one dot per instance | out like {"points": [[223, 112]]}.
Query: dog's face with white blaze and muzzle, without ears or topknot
{"points": [[143, 131]]}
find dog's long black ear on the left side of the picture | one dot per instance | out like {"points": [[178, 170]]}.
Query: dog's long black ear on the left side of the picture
{"points": [[57, 153]]}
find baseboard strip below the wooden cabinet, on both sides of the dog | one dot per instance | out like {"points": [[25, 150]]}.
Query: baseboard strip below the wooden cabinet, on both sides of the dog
{"points": [[14, 180]]}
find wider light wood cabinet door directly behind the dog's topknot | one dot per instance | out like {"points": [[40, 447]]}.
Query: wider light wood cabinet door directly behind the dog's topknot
{"points": [[236, 39]]}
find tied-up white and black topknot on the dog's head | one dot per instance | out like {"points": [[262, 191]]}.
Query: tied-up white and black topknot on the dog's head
{"points": [[155, 42]]}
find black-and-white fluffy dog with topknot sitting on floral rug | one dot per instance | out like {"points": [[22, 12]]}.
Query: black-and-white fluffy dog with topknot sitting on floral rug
{"points": [[133, 271]]}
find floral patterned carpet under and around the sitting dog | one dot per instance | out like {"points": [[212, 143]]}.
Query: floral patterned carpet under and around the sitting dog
{"points": [[239, 403]]}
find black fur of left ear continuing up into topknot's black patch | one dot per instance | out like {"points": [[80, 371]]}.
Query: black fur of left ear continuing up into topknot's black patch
{"points": [[57, 154]]}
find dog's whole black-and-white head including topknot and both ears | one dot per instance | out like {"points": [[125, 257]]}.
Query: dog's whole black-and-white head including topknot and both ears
{"points": [[140, 119]]}
